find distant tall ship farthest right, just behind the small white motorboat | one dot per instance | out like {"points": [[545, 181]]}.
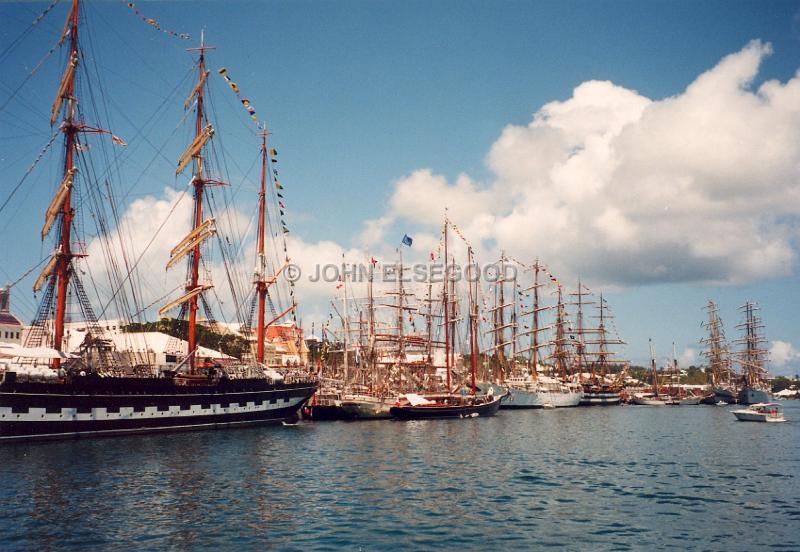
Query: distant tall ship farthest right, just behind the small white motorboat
{"points": [[754, 386]]}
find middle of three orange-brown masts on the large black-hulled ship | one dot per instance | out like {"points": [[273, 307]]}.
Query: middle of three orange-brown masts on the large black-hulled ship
{"points": [[199, 186]]}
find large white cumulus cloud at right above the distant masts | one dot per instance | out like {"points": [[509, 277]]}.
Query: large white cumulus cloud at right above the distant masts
{"points": [[622, 189]]}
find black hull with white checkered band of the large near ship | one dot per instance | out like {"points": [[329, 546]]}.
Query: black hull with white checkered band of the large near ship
{"points": [[106, 406]]}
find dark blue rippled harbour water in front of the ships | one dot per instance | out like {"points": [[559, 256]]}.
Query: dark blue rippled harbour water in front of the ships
{"points": [[599, 478]]}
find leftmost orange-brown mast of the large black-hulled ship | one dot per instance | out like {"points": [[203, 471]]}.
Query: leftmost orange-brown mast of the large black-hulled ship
{"points": [[64, 253]]}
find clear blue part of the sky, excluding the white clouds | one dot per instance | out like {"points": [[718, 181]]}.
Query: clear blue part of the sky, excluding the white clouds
{"points": [[362, 94]]}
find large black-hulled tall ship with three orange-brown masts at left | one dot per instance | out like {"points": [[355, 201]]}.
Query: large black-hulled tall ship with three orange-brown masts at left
{"points": [[94, 391]]}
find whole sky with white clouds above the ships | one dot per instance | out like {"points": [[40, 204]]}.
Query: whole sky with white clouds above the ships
{"points": [[649, 148]]}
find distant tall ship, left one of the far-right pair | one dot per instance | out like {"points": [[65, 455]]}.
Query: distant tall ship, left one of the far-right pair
{"points": [[724, 387]]}
